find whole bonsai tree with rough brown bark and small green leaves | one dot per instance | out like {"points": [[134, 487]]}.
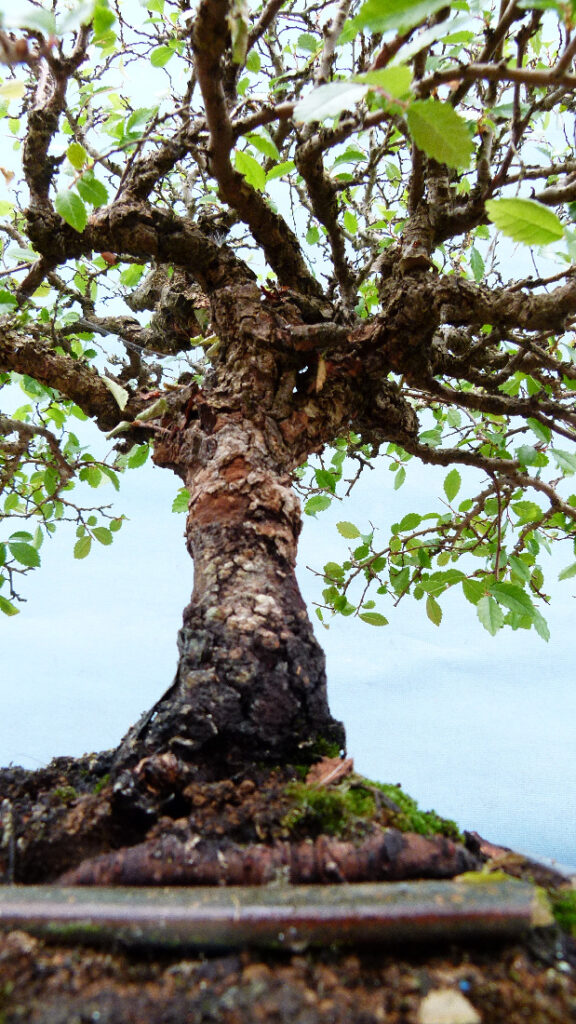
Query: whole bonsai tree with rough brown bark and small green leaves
{"points": [[290, 253]]}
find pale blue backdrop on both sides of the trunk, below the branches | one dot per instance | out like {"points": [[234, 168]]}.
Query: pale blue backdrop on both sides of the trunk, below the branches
{"points": [[481, 729]]}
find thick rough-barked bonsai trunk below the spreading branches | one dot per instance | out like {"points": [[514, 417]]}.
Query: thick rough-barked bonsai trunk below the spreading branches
{"points": [[252, 681]]}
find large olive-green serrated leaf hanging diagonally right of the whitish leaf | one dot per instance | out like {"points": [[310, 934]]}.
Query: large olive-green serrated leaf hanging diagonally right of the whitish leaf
{"points": [[441, 133]]}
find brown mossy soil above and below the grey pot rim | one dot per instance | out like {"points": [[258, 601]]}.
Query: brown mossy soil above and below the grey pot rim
{"points": [[71, 813]]}
